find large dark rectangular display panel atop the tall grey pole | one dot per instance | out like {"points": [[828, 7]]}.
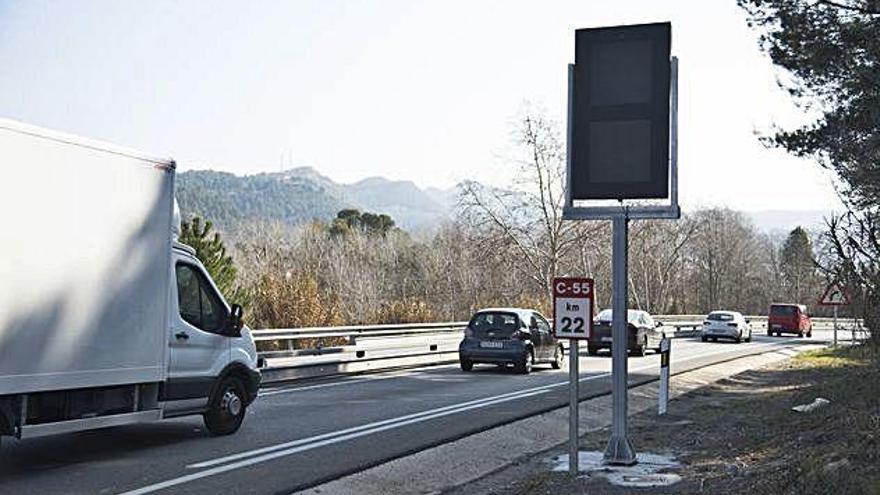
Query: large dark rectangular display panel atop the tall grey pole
{"points": [[621, 112]]}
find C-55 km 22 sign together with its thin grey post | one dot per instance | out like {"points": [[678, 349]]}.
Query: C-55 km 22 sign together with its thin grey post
{"points": [[573, 320]]}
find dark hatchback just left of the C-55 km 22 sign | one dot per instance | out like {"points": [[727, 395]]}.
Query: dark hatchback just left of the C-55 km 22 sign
{"points": [[503, 336]]}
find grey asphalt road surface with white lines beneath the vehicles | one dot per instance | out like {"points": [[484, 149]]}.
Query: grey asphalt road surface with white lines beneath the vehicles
{"points": [[300, 435]]}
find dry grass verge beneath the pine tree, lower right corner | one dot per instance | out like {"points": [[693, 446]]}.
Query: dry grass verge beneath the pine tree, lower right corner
{"points": [[740, 435]]}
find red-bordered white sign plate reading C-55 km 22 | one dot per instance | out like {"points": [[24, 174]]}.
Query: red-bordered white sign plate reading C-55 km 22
{"points": [[572, 307]]}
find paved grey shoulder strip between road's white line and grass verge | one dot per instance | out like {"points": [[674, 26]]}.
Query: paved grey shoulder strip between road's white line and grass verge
{"points": [[464, 465]]}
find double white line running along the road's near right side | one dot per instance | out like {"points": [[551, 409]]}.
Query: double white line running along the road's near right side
{"points": [[289, 448]]}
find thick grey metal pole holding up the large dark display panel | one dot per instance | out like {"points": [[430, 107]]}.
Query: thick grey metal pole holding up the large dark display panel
{"points": [[619, 450]]}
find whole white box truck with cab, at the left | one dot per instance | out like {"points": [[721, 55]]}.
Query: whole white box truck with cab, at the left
{"points": [[105, 319]]}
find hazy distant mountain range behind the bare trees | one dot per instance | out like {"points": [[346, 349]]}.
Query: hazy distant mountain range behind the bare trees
{"points": [[302, 194]]}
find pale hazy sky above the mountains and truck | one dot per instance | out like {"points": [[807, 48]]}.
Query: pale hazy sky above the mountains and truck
{"points": [[424, 91]]}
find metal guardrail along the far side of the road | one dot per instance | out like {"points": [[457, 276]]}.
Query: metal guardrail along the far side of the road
{"points": [[357, 349]]}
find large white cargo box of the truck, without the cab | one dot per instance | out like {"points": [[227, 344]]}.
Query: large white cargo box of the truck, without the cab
{"points": [[85, 249]]}
